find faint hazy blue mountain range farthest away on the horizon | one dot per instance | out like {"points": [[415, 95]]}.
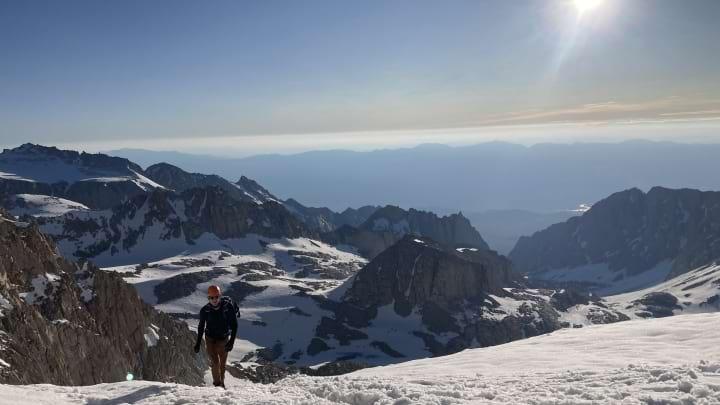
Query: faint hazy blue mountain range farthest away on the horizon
{"points": [[541, 178]]}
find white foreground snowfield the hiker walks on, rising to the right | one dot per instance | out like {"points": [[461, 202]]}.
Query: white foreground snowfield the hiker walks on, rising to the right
{"points": [[674, 360]]}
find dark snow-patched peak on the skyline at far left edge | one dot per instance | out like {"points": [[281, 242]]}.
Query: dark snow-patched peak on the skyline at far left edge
{"points": [[95, 180]]}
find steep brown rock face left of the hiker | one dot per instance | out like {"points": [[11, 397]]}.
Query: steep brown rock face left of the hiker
{"points": [[62, 324]]}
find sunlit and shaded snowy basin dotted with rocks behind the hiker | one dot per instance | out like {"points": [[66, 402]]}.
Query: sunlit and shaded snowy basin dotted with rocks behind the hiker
{"points": [[274, 271]]}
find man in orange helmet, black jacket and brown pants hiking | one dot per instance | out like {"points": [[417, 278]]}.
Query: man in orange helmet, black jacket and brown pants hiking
{"points": [[218, 321]]}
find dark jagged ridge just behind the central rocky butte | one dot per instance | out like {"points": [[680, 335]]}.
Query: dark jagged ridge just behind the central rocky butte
{"points": [[388, 225]]}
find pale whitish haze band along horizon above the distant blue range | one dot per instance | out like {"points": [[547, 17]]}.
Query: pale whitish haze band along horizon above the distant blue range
{"points": [[242, 147]]}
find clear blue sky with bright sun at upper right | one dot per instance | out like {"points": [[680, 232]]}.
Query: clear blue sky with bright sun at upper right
{"points": [[249, 72]]}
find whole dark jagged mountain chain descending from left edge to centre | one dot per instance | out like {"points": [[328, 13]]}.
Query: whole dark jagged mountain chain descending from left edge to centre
{"points": [[134, 215]]}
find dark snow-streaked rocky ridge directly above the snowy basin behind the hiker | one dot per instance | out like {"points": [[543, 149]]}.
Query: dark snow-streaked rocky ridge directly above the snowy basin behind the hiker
{"points": [[165, 218]]}
